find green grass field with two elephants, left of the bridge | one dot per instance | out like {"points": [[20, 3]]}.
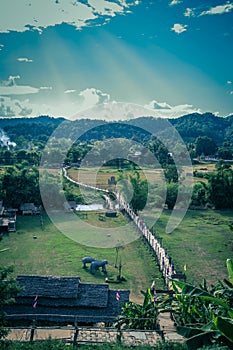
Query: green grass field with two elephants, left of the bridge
{"points": [[52, 253]]}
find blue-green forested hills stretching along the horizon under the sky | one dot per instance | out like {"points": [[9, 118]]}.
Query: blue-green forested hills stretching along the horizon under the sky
{"points": [[190, 127]]}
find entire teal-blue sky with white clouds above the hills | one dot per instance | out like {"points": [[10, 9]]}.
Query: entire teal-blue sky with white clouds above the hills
{"points": [[69, 58]]}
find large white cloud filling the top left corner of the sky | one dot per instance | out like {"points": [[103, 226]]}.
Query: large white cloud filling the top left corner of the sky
{"points": [[38, 15]]}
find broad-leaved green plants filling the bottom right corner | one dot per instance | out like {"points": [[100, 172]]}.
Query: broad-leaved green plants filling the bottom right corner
{"points": [[205, 316]]}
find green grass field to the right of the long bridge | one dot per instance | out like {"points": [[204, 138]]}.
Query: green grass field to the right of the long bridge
{"points": [[203, 241]]}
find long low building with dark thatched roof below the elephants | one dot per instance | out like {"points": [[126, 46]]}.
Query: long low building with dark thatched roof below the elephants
{"points": [[64, 300]]}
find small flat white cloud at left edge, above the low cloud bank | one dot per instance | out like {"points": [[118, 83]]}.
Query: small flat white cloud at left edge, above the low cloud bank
{"points": [[9, 87]]}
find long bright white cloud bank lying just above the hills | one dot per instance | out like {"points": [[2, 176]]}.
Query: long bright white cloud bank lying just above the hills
{"points": [[90, 103]]}
